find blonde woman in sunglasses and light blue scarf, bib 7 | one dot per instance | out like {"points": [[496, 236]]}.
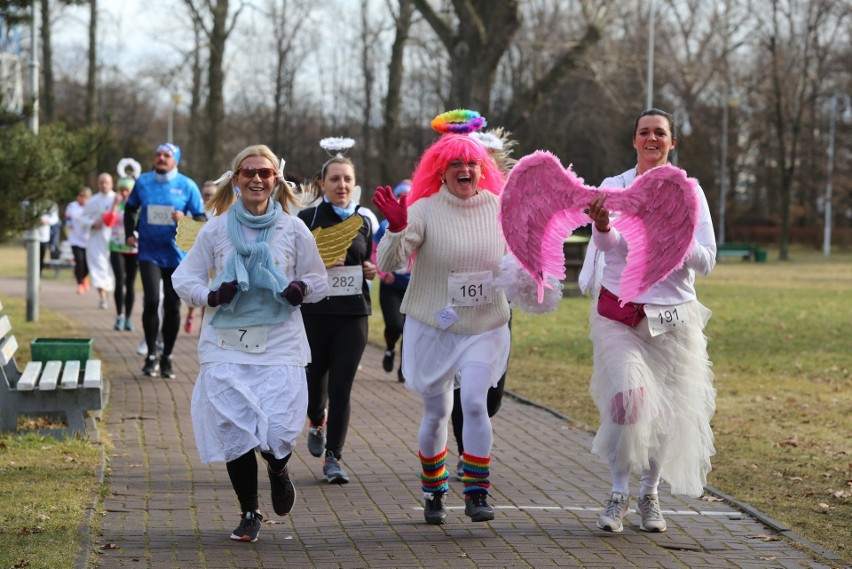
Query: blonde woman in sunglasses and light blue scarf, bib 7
{"points": [[251, 390]]}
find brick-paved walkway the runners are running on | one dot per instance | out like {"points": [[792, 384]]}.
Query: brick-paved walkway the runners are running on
{"points": [[165, 509]]}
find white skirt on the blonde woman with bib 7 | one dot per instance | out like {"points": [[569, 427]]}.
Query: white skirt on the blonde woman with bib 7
{"points": [[239, 407]]}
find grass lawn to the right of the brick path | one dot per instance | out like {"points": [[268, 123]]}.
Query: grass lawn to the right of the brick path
{"points": [[780, 344]]}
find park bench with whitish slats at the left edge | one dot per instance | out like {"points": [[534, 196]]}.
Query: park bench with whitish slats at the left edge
{"points": [[62, 389]]}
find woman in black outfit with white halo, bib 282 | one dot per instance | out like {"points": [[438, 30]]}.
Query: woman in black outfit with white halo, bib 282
{"points": [[337, 326]]}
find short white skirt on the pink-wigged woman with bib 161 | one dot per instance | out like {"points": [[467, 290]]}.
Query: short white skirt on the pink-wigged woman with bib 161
{"points": [[432, 358]]}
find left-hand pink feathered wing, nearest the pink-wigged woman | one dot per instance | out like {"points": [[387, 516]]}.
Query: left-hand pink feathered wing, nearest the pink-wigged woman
{"points": [[540, 205]]}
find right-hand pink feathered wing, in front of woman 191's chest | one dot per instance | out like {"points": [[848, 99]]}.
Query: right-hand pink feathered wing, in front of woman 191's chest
{"points": [[658, 216]]}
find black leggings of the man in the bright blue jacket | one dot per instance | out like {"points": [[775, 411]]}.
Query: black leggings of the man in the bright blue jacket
{"points": [[151, 276]]}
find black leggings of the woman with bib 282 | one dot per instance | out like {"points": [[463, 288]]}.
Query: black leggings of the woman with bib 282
{"points": [[337, 344]]}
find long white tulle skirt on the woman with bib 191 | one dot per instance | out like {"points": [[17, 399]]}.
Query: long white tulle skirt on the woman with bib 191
{"points": [[656, 398]]}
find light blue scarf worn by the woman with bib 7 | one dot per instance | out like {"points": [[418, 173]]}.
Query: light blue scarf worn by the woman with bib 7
{"points": [[253, 268]]}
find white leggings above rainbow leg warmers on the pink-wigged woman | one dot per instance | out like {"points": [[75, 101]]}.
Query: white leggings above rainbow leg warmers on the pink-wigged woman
{"points": [[477, 436]]}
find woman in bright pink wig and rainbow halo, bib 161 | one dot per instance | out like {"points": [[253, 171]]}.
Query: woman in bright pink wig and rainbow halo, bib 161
{"points": [[456, 326]]}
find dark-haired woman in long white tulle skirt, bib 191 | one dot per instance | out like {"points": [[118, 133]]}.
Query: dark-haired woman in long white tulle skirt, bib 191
{"points": [[652, 383]]}
